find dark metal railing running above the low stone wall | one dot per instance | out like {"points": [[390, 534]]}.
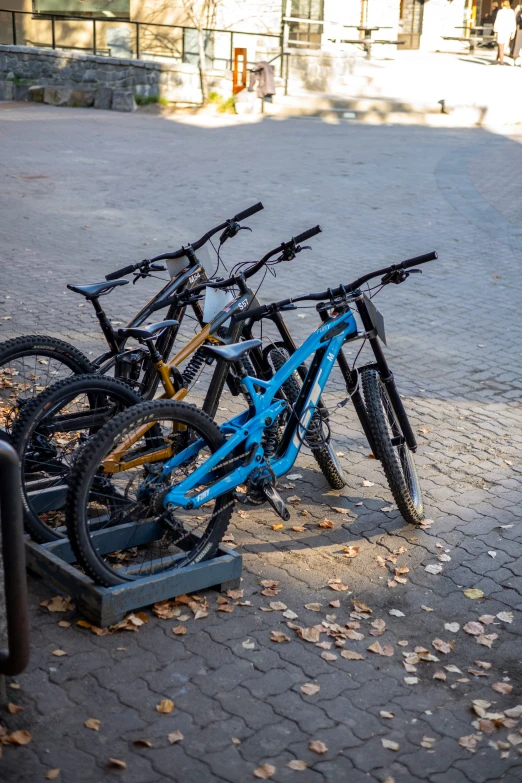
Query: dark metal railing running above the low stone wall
{"points": [[138, 51]]}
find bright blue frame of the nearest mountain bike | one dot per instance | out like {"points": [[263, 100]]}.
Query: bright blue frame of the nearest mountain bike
{"points": [[246, 429]]}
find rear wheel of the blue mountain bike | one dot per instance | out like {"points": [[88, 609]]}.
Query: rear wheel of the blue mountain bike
{"points": [[117, 524]]}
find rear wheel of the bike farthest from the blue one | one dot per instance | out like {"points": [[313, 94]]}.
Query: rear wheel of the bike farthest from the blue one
{"points": [[28, 365]]}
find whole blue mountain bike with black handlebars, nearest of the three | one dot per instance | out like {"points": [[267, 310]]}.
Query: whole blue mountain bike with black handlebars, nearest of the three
{"points": [[162, 476]]}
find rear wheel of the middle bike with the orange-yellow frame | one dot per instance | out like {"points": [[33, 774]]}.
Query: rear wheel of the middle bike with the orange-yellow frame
{"points": [[47, 435]]}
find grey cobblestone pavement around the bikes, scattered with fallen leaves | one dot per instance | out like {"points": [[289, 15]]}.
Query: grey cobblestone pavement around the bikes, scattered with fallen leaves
{"points": [[83, 193]]}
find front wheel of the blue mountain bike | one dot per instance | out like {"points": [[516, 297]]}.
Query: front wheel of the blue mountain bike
{"points": [[392, 449]]}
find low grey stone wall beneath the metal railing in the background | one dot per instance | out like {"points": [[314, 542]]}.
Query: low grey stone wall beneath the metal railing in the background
{"points": [[100, 77]]}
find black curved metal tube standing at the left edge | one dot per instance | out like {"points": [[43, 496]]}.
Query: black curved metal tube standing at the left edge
{"points": [[15, 659]]}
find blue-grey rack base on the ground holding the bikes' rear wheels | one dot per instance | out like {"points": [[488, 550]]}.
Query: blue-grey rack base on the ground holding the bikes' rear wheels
{"points": [[104, 606]]}
